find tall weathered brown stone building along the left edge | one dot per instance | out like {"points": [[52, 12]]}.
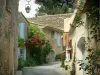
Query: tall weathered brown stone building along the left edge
{"points": [[8, 36]]}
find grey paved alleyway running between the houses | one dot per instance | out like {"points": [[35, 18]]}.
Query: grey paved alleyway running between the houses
{"points": [[50, 69]]}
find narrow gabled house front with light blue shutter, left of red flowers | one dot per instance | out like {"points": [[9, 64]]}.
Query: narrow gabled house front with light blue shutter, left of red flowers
{"points": [[23, 33]]}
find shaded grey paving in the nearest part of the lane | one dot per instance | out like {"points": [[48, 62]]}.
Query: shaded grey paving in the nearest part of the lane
{"points": [[40, 71]]}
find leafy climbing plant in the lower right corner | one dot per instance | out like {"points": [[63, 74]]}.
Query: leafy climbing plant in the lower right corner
{"points": [[93, 60]]}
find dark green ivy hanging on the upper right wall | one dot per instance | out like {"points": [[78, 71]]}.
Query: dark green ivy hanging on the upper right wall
{"points": [[94, 26]]}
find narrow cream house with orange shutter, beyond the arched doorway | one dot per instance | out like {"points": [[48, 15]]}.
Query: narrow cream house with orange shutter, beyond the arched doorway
{"points": [[67, 42]]}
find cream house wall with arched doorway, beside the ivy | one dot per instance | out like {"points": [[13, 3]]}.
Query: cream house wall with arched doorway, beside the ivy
{"points": [[77, 35]]}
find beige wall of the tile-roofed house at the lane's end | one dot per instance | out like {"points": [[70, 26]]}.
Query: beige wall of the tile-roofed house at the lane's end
{"points": [[49, 36]]}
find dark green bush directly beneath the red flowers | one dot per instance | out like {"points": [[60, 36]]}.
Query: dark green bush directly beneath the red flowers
{"points": [[40, 52]]}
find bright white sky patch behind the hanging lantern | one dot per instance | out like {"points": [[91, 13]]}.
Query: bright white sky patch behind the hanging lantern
{"points": [[21, 8]]}
